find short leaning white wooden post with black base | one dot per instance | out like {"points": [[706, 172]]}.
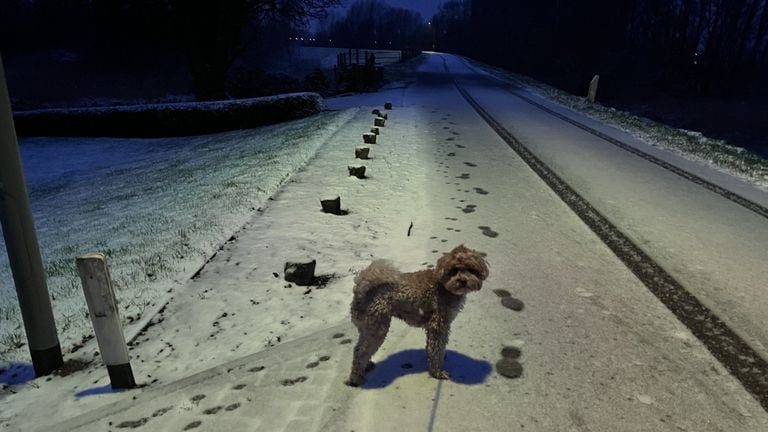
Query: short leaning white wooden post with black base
{"points": [[97, 286]]}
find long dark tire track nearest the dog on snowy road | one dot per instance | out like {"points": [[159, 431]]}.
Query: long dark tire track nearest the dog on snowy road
{"points": [[725, 345]]}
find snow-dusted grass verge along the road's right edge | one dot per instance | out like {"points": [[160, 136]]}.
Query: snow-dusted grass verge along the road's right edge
{"points": [[691, 145]]}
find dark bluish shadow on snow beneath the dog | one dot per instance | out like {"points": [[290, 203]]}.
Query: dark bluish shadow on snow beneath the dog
{"points": [[462, 369]]}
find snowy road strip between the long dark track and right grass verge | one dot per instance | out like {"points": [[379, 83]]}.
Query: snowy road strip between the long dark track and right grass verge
{"points": [[713, 246]]}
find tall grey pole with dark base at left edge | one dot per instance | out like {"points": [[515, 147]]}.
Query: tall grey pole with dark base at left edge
{"points": [[23, 251]]}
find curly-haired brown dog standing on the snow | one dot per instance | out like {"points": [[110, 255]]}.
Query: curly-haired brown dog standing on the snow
{"points": [[429, 299]]}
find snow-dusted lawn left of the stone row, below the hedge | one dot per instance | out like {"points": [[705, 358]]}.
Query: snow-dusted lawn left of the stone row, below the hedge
{"points": [[158, 208]]}
